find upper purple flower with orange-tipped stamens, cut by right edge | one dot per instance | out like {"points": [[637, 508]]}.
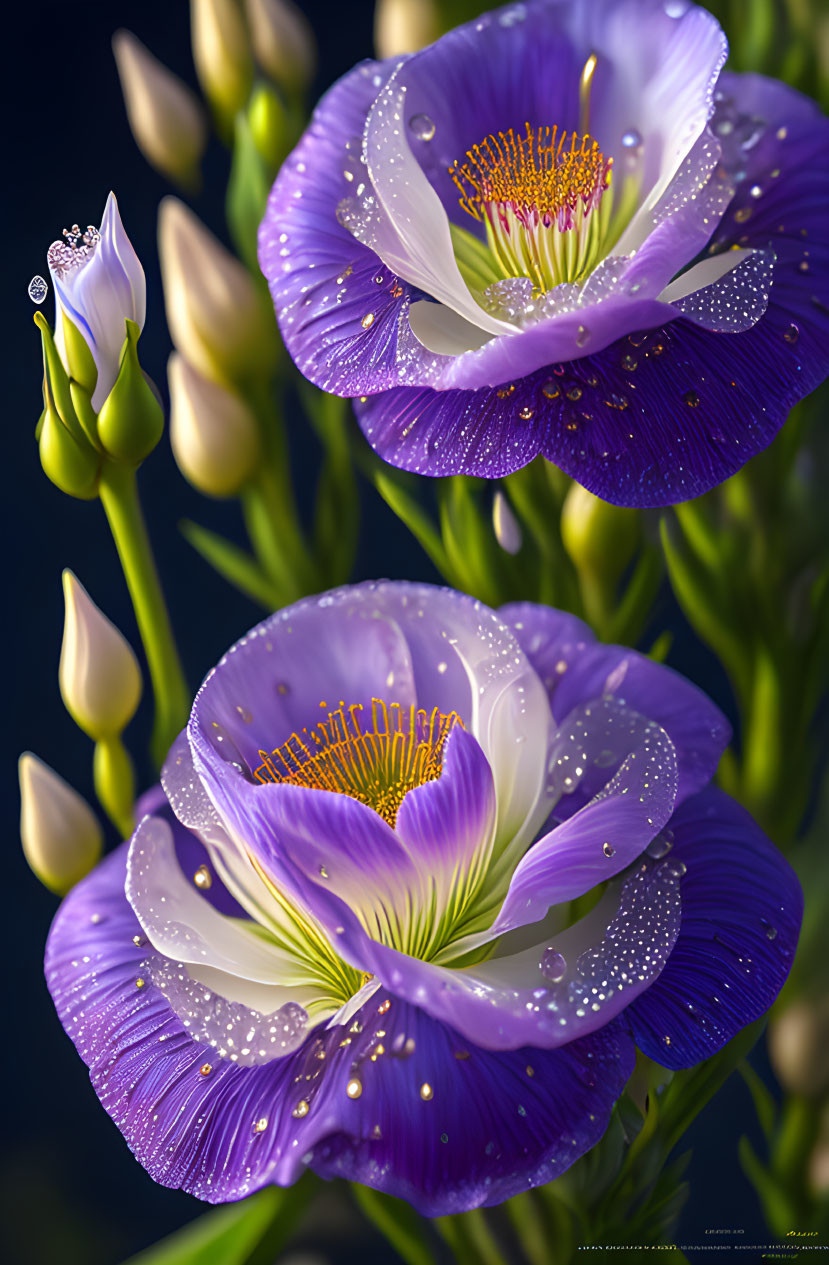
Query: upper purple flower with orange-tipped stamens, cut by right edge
{"points": [[561, 230]]}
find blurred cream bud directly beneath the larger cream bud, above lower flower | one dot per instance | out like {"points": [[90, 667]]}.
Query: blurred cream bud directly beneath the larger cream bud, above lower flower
{"points": [[213, 433]]}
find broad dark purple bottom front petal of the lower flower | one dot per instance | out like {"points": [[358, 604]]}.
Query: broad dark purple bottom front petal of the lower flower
{"points": [[221, 1130]]}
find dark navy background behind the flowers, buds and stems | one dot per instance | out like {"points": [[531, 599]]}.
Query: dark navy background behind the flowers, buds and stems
{"points": [[70, 1190]]}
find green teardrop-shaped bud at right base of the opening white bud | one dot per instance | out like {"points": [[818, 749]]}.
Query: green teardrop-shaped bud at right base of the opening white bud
{"points": [[131, 422]]}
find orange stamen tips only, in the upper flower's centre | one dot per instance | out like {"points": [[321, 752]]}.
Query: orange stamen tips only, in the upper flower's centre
{"points": [[545, 175]]}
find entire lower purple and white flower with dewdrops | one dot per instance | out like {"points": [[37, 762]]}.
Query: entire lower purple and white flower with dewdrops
{"points": [[344, 937]]}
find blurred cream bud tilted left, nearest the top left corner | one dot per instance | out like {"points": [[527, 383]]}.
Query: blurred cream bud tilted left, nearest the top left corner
{"points": [[165, 116]]}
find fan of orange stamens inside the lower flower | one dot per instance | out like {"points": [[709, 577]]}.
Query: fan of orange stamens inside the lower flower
{"points": [[378, 763]]}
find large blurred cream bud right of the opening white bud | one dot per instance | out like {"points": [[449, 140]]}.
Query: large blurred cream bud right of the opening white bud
{"points": [[217, 317]]}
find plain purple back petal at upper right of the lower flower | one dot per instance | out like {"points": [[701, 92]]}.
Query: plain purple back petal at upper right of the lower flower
{"points": [[575, 669]]}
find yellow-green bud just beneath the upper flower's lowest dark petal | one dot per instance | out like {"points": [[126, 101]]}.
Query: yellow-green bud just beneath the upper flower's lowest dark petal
{"points": [[599, 538]]}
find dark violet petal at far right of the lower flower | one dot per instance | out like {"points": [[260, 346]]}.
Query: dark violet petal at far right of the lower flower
{"points": [[742, 906]]}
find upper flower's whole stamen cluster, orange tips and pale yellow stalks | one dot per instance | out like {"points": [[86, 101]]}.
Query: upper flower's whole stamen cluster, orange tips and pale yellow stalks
{"points": [[540, 197]]}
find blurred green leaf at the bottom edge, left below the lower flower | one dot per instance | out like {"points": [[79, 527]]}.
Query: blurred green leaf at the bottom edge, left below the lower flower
{"points": [[232, 1234]]}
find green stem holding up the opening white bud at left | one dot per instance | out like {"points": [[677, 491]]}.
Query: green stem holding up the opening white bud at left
{"points": [[120, 498]]}
